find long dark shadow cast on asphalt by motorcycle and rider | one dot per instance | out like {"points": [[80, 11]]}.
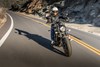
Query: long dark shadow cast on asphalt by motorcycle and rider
{"points": [[40, 40]]}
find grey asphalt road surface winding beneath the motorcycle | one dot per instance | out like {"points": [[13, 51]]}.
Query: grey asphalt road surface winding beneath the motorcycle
{"points": [[28, 45]]}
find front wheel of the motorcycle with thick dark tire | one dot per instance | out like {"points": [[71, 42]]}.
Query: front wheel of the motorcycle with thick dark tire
{"points": [[67, 47]]}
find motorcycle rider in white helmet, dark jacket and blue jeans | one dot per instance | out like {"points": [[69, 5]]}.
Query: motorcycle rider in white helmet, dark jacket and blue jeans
{"points": [[54, 19]]}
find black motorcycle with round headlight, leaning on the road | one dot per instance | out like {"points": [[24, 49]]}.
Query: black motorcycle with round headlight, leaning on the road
{"points": [[62, 38]]}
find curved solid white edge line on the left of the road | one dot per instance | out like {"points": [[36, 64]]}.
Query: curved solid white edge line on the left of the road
{"points": [[8, 32]]}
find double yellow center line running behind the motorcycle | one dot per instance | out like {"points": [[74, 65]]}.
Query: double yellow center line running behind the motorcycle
{"points": [[96, 51]]}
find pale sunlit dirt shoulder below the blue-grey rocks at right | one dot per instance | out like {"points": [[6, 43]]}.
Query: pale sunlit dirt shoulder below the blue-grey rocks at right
{"points": [[85, 27]]}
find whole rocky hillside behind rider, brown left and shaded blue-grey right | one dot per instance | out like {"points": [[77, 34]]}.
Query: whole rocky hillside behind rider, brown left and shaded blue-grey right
{"points": [[78, 11]]}
